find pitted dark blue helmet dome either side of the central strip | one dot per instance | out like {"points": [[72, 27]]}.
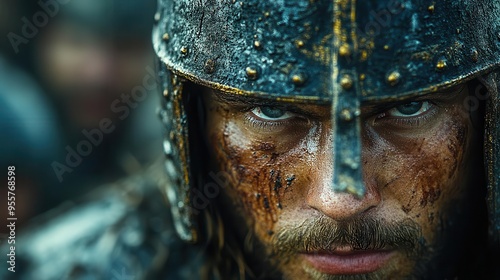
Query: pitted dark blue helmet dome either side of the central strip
{"points": [[298, 36]]}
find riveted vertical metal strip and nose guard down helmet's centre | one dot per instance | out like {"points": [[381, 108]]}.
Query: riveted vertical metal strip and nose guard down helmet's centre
{"points": [[347, 174]]}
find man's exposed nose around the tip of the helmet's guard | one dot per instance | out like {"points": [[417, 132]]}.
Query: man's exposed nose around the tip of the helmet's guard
{"points": [[338, 205]]}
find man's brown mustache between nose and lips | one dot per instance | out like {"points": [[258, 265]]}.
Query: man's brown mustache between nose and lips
{"points": [[324, 235]]}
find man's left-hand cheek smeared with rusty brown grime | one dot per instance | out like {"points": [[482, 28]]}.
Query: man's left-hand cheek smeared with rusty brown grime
{"points": [[261, 181]]}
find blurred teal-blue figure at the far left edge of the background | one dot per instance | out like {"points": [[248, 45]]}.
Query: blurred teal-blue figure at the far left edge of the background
{"points": [[30, 138]]}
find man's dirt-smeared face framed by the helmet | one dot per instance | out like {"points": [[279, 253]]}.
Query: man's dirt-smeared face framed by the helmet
{"points": [[416, 157]]}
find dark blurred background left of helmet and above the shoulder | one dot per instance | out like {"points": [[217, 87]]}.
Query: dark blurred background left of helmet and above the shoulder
{"points": [[78, 98]]}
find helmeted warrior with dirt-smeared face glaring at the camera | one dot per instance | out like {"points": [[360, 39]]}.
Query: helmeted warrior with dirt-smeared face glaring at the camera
{"points": [[318, 140]]}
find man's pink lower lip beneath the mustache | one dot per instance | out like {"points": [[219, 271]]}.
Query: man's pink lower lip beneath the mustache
{"points": [[358, 262]]}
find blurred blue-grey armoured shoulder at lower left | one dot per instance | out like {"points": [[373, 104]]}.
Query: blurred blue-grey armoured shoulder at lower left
{"points": [[121, 231]]}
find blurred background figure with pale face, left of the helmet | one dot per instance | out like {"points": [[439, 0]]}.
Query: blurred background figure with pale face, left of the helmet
{"points": [[89, 59]]}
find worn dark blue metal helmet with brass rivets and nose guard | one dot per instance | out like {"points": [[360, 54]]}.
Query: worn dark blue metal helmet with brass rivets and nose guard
{"points": [[340, 52]]}
